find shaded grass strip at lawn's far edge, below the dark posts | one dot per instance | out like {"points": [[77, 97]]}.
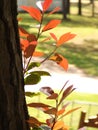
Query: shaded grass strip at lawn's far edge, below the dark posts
{"points": [[72, 21]]}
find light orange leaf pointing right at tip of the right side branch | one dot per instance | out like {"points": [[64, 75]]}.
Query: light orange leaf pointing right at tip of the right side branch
{"points": [[64, 38]]}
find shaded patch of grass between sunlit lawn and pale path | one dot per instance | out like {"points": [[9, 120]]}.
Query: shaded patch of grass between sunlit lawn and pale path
{"points": [[83, 56]]}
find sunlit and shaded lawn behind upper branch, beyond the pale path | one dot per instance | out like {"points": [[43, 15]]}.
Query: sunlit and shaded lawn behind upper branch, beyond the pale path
{"points": [[82, 51]]}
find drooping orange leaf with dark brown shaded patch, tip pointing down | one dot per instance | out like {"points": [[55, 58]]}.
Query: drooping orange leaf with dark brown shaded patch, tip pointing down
{"points": [[60, 60]]}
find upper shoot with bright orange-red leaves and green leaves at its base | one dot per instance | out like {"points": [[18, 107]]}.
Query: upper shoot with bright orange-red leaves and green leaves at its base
{"points": [[29, 42]]}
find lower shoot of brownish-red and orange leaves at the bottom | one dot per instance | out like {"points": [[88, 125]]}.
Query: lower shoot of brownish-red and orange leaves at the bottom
{"points": [[57, 112]]}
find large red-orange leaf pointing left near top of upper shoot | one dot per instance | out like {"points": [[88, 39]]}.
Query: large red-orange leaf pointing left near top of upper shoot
{"points": [[34, 12]]}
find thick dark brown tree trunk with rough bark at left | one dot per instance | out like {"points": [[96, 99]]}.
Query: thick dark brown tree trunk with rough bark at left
{"points": [[13, 110]]}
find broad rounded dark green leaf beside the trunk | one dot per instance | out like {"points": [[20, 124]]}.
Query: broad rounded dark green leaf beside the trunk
{"points": [[32, 78]]}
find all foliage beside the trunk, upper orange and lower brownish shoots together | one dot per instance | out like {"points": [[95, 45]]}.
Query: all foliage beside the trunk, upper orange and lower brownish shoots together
{"points": [[29, 43]]}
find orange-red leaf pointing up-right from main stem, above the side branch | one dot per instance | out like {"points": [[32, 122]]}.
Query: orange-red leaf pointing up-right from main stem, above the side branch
{"points": [[52, 24]]}
